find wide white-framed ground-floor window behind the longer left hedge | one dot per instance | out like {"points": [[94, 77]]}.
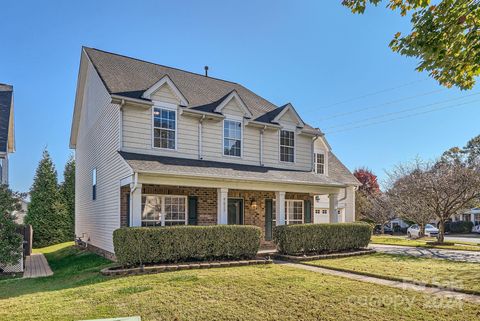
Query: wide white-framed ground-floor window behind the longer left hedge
{"points": [[164, 210]]}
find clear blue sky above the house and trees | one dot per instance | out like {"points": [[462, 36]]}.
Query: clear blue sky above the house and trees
{"points": [[317, 55]]}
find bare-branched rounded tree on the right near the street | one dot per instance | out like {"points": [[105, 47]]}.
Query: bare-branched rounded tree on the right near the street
{"points": [[434, 190]]}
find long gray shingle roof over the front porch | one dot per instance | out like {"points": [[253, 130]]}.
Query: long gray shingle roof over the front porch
{"points": [[338, 174]]}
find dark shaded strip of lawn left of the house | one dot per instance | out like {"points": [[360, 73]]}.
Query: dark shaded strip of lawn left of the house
{"points": [[71, 267]]}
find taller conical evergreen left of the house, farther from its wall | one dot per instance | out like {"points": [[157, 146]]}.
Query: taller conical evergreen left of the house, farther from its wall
{"points": [[46, 213]]}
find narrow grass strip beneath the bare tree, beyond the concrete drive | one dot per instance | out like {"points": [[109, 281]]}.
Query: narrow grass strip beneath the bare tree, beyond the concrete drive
{"points": [[404, 241]]}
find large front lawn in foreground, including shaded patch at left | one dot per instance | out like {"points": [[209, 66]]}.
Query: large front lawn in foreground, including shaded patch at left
{"points": [[267, 292]]}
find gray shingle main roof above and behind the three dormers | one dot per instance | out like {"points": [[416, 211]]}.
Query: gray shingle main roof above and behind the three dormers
{"points": [[130, 77]]}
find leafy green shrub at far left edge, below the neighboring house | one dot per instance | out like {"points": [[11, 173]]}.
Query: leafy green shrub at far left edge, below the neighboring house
{"points": [[10, 239]]}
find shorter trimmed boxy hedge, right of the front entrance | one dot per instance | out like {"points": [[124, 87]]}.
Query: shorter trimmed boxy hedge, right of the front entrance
{"points": [[321, 238]]}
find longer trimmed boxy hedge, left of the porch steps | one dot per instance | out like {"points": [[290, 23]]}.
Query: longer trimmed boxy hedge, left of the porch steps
{"points": [[146, 245]]}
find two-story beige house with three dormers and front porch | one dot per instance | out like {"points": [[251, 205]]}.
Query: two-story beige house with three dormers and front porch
{"points": [[159, 146]]}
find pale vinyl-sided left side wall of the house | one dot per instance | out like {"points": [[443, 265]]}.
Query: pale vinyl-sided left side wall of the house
{"points": [[97, 144]]}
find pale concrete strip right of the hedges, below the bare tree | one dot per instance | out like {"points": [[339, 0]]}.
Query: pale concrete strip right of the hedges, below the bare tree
{"points": [[463, 256]]}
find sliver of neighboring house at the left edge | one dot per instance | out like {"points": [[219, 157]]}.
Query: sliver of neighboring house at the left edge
{"points": [[7, 135]]}
